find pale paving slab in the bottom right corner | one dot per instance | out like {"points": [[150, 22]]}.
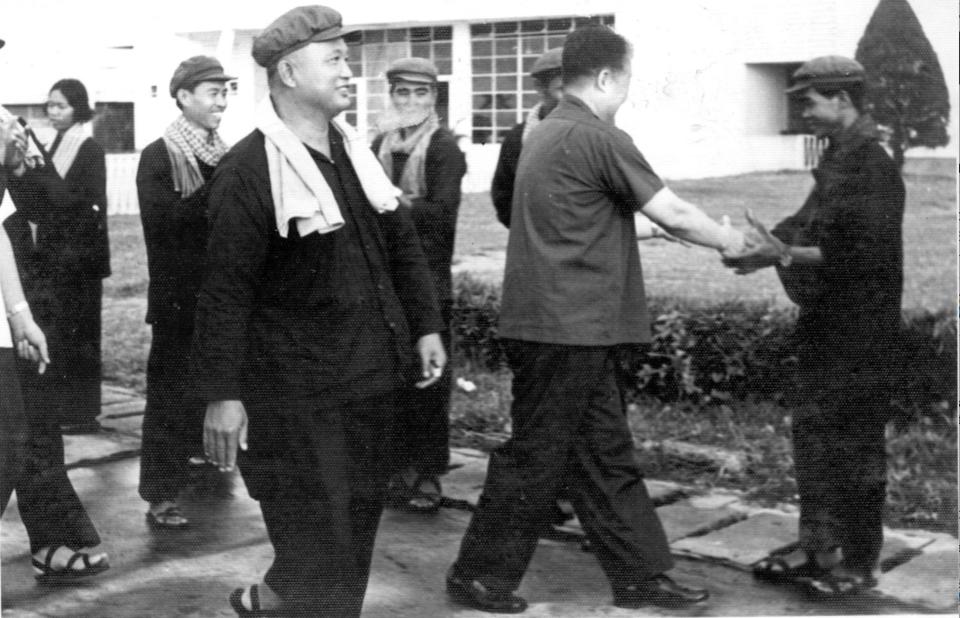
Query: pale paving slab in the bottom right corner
{"points": [[929, 580]]}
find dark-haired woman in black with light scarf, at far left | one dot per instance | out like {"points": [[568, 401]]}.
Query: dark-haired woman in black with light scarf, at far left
{"points": [[60, 237]]}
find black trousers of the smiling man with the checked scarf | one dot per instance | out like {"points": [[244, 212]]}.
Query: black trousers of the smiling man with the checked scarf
{"points": [[173, 419]]}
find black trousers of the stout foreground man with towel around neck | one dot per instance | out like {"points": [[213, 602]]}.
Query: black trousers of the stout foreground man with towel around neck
{"points": [[319, 472]]}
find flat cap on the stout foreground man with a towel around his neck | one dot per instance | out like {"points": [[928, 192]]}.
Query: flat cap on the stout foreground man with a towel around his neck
{"points": [[295, 29]]}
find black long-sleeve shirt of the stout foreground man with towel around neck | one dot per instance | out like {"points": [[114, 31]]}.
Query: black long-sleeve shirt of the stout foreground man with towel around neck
{"points": [[327, 316]]}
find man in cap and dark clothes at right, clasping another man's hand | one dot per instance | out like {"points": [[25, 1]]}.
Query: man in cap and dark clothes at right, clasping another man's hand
{"points": [[840, 258]]}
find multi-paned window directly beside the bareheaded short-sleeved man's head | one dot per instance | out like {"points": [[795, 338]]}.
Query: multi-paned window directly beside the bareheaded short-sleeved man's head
{"points": [[502, 56]]}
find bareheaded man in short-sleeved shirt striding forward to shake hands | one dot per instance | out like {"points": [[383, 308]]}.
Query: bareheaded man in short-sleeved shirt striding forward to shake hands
{"points": [[572, 297]]}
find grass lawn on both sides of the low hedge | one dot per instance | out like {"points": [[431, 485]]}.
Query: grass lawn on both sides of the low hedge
{"points": [[923, 472]]}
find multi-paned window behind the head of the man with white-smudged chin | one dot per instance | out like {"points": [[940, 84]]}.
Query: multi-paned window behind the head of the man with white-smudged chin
{"points": [[371, 53]]}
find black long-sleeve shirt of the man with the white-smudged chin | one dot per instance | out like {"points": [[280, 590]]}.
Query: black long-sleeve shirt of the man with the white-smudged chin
{"points": [[435, 214]]}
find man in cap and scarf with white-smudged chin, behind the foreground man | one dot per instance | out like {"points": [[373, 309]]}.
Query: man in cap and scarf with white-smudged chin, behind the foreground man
{"points": [[423, 159]]}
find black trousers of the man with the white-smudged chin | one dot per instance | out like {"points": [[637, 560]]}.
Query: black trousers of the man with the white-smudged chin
{"points": [[422, 429]]}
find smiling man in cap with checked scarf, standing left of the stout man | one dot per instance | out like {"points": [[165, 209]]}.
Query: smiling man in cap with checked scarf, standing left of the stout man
{"points": [[172, 188]]}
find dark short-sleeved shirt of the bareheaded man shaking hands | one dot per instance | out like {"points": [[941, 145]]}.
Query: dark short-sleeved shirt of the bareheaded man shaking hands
{"points": [[573, 271]]}
